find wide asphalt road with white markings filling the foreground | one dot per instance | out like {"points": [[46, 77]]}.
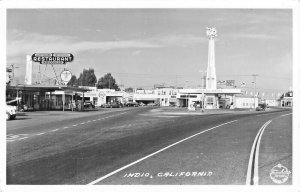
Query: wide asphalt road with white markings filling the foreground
{"points": [[146, 146]]}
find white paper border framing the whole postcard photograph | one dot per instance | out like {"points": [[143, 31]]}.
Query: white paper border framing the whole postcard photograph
{"points": [[255, 4]]}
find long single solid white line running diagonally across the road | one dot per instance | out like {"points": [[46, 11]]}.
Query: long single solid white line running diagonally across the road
{"points": [[150, 155]]}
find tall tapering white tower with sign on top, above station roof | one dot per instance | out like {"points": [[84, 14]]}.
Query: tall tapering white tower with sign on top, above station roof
{"points": [[211, 81]]}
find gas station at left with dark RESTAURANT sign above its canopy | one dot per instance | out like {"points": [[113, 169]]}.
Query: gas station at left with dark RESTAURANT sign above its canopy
{"points": [[49, 91]]}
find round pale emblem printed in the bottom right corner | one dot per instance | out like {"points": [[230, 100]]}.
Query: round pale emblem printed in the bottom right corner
{"points": [[279, 174]]}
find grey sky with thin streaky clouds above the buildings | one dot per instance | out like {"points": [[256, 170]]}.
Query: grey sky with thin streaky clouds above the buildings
{"points": [[143, 47]]}
